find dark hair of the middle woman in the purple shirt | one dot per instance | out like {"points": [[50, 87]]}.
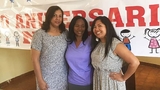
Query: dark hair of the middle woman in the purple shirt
{"points": [[71, 35]]}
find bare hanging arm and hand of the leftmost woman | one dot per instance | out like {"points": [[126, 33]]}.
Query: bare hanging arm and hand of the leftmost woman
{"points": [[36, 65]]}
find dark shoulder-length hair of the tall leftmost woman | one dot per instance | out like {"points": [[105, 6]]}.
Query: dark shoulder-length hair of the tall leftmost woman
{"points": [[49, 15]]}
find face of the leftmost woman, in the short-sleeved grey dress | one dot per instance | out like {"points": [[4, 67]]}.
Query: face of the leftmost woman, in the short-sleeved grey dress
{"points": [[56, 19]]}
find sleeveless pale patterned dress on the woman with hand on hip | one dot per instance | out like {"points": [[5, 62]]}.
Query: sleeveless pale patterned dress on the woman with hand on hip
{"points": [[104, 65]]}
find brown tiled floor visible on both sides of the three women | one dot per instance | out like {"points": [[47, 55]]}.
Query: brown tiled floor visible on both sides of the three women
{"points": [[147, 78]]}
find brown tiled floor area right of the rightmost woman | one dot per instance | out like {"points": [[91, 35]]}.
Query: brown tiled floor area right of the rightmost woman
{"points": [[148, 77]]}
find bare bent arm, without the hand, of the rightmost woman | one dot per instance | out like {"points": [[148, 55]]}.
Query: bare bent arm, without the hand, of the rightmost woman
{"points": [[123, 52]]}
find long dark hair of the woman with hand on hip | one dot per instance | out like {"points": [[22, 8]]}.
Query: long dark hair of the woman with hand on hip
{"points": [[111, 33]]}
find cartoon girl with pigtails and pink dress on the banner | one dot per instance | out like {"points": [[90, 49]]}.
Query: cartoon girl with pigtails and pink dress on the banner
{"points": [[153, 35]]}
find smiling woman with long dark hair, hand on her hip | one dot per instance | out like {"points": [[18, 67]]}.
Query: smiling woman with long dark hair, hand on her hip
{"points": [[108, 55]]}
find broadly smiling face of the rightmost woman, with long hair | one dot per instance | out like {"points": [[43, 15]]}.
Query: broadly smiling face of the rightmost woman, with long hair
{"points": [[100, 30]]}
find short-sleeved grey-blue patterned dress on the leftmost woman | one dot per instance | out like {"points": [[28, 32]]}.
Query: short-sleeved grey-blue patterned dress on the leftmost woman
{"points": [[52, 62]]}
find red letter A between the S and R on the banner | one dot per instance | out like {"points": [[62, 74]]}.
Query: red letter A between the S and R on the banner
{"points": [[117, 19]]}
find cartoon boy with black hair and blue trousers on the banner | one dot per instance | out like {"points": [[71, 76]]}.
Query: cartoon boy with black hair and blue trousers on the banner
{"points": [[126, 37]]}
